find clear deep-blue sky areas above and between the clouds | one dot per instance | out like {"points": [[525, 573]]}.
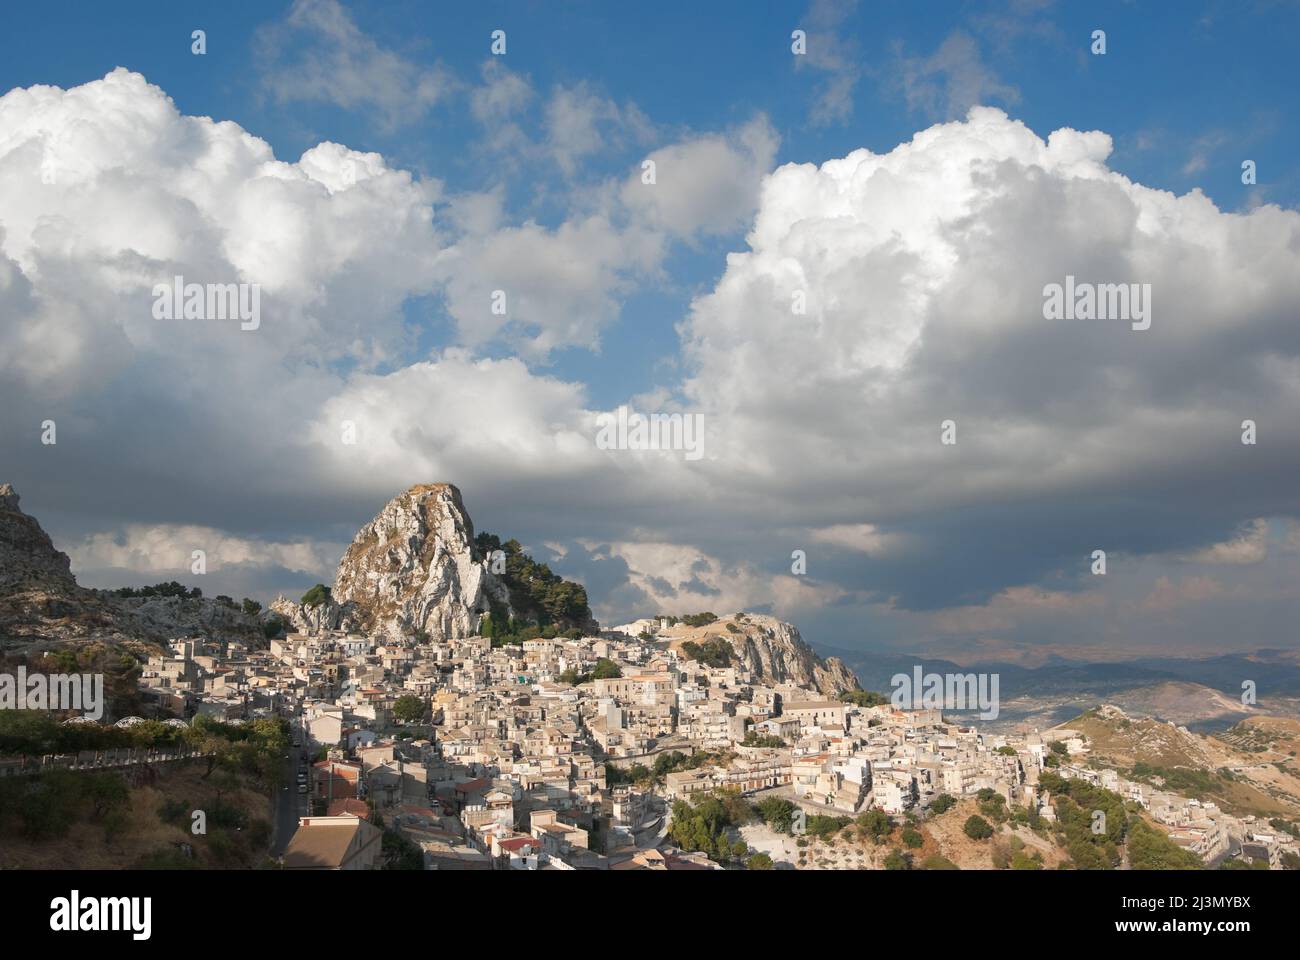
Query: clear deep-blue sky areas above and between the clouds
{"points": [[1188, 92]]}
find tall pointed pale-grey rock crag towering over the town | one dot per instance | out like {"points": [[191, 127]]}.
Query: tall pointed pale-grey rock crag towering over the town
{"points": [[413, 569]]}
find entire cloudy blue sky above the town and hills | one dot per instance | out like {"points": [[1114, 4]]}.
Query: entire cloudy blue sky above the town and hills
{"points": [[463, 265]]}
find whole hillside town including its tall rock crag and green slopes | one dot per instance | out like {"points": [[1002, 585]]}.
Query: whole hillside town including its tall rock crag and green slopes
{"points": [[452, 704]]}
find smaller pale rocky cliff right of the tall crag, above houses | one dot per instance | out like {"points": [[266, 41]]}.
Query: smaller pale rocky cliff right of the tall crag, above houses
{"points": [[773, 651]]}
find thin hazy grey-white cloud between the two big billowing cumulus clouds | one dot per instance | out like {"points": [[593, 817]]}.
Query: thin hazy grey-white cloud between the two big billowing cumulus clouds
{"points": [[564, 286]]}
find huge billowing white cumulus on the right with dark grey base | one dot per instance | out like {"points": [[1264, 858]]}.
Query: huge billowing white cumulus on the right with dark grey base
{"points": [[924, 274]]}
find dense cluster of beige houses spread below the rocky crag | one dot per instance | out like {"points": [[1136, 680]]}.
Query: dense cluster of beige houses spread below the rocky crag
{"points": [[510, 766]]}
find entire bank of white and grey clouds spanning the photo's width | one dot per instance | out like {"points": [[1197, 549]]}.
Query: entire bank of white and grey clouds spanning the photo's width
{"points": [[920, 276]]}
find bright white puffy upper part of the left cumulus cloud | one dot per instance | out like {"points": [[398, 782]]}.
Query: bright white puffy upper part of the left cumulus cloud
{"points": [[140, 194]]}
